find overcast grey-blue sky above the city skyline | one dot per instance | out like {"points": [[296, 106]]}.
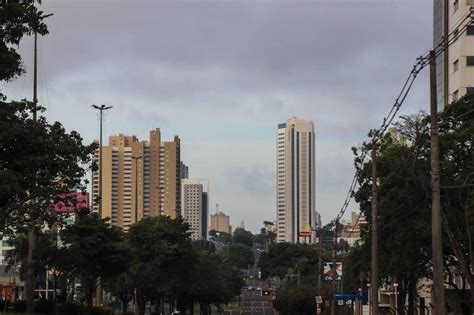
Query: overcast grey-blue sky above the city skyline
{"points": [[223, 74]]}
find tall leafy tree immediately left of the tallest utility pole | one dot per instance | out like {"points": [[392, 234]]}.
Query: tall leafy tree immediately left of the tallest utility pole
{"points": [[403, 207]]}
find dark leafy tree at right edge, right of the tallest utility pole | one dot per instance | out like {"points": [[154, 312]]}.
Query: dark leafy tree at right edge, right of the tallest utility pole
{"points": [[457, 192]]}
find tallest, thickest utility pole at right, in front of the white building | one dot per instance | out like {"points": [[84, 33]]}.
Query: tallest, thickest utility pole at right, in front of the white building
{"points": [[437, 293]]}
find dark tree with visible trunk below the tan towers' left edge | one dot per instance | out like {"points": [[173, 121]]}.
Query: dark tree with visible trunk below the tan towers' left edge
{"points": [[94, 249]]}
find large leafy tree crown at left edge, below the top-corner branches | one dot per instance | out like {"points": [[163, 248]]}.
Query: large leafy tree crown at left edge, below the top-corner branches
{"points": [[38, 161]]}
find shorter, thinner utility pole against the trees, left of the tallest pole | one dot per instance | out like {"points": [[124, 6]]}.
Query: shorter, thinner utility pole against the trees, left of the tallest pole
{"points": [[374, 286]]}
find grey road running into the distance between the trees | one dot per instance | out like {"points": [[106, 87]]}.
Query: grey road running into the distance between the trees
{"points": [[253, 303]]}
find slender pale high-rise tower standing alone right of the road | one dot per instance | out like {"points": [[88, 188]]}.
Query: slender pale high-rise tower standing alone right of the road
{"points": [[295, 181]]}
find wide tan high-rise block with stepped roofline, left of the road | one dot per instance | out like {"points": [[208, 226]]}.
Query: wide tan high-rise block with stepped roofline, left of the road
{"points": [[139, 178]]}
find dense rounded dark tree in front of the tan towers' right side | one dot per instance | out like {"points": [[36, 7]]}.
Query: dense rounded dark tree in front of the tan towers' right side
{"points": [[162, 260]]}
